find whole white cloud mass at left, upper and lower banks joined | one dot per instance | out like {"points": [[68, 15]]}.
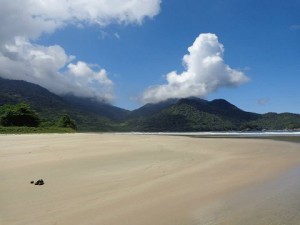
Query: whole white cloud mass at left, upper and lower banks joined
{"points": [[23, 21]]}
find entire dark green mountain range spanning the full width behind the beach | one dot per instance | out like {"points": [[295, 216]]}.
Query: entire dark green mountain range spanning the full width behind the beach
{"points": [[188, 114]]}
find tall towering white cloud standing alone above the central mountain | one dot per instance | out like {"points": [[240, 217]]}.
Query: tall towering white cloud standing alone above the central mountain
{"points": [[205, 72]]}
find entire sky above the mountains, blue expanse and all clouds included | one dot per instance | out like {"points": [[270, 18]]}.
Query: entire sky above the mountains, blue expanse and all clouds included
{"points": [[133, 52]]}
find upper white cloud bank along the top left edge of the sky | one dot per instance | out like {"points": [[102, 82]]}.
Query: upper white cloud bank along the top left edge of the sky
{"points": [[30, 18]]}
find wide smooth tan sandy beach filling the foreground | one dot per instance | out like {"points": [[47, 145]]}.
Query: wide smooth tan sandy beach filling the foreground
{"points": [[112, 179]]}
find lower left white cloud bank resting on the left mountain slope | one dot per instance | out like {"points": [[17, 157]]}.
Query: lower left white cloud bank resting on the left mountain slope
{"points": [[53, 69]]}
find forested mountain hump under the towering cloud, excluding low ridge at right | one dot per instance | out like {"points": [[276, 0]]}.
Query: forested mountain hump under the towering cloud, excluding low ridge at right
{"points": [[191, 114]]}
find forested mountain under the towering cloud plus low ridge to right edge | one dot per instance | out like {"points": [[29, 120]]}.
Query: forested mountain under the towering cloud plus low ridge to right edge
{"points": [[194, 114]]}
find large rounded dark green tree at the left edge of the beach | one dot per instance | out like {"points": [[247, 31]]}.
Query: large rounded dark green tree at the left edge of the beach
{"points": [[18, 115]]}
